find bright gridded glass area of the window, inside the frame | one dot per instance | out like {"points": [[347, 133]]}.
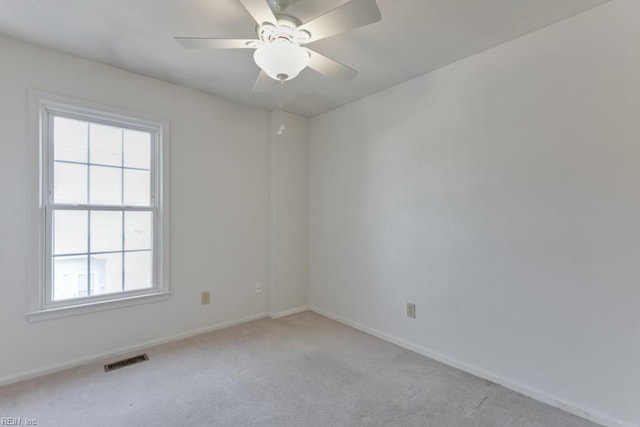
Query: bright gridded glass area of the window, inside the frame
{"points": [[100, 211]]}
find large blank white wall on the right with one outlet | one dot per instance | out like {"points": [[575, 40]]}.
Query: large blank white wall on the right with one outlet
{"points": [[501, 195]]}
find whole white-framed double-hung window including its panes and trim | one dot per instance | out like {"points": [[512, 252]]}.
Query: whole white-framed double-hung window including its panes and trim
{"points": [[102, 208]]}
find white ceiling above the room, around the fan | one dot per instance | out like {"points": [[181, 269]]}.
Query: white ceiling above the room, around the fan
{"points": [[413, 38]]}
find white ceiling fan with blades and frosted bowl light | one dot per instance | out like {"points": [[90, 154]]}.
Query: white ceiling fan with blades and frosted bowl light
{"points": [[279, 48]]}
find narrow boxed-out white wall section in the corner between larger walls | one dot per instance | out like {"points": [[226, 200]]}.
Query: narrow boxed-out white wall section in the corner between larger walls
{"points": [[289, 197]]}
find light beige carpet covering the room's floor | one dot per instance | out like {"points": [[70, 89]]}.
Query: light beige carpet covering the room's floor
{"points": [[301, 370]]}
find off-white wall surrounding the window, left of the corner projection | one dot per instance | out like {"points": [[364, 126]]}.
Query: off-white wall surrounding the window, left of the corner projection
{"points": [[219, 210]]}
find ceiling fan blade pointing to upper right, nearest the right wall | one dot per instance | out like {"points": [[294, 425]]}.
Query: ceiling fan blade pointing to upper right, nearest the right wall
{"points": [[353, 14]]}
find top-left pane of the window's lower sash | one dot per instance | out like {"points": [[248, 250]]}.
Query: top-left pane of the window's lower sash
{"points": [[69, 232]]}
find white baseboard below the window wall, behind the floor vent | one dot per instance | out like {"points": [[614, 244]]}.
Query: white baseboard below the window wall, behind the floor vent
{"points": [[106, 355]]}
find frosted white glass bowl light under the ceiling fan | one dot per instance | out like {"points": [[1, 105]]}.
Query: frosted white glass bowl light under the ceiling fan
{"points": [[281, 59]]}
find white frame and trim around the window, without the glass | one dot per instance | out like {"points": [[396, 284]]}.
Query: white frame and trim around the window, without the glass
{"points": [[43, 105]]}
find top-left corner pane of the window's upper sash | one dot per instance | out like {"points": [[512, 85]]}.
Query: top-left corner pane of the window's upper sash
{"points": [[69, 140]]}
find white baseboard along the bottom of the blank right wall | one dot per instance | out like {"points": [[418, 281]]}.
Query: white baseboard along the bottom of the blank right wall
{"points": [[589, 414]]}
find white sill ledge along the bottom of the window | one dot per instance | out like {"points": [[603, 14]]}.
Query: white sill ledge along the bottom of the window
{"points": [[75, 310]]}
